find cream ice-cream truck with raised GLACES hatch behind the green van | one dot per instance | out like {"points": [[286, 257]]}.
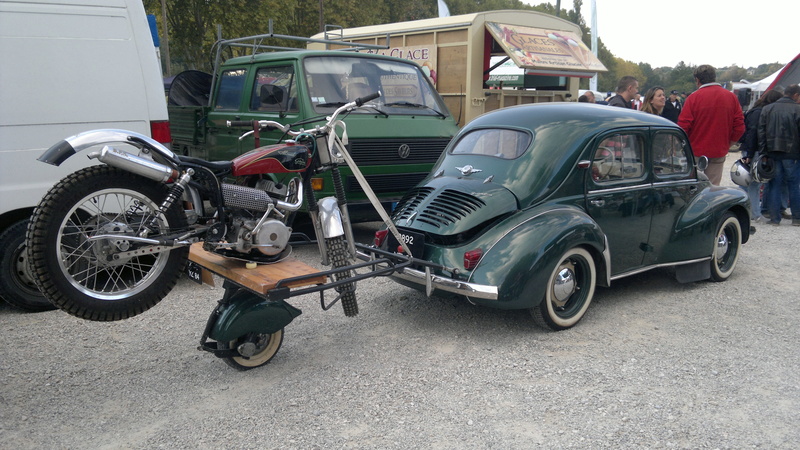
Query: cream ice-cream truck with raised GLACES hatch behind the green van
{"points": [[467, 57]]}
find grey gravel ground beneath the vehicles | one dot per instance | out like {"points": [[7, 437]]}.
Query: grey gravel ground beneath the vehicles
{"points": [[654, 364]]}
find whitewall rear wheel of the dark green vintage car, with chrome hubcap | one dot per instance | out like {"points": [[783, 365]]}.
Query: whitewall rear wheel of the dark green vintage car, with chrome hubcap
{"points": [[570, 289]]}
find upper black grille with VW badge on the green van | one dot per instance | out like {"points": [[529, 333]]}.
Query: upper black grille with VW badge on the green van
{"points": [[373, 152]]}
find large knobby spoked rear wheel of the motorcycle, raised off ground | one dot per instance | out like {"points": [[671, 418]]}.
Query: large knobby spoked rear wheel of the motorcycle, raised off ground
{"points": [[108, 278]]}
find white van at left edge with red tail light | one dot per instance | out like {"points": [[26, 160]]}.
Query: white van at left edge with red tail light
{"points": [[67, 66]]}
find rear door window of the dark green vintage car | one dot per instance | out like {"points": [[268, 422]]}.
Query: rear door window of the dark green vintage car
{"points": [[618, 157]]}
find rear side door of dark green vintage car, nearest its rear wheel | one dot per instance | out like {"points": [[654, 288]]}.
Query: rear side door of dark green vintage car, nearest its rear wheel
{"points": [[619, 197]]}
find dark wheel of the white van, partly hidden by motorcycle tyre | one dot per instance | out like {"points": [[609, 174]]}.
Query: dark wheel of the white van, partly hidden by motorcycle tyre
{"points": [[17, 286]]}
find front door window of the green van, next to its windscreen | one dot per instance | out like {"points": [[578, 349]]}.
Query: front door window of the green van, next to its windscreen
{"points": [[274, 89]]}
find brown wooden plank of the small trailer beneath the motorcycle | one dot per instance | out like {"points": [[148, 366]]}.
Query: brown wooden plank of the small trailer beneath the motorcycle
{"points": [[260, 279]]}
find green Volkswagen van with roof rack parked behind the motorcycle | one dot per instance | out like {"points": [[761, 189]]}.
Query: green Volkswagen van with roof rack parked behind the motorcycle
{"points": [[395, 142]]}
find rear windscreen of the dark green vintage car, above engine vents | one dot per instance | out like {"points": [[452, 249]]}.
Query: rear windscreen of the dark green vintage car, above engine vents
{"points": [[499, 143]]}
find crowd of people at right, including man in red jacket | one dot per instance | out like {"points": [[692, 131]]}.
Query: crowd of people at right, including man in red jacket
{"points": [[713, 120]]}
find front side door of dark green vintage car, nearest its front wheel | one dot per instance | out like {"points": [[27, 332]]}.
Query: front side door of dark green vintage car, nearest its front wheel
{"points": [[674, 186]]}
